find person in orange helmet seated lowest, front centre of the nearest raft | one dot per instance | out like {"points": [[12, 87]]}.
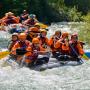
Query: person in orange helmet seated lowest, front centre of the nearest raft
{"points": [[35, 50]]}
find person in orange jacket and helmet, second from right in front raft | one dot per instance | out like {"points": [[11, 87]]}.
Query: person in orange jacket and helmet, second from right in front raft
{"points": [[63, 46]]}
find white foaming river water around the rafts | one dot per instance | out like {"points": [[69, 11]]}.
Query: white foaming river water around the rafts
{"points": [[62, 78]]}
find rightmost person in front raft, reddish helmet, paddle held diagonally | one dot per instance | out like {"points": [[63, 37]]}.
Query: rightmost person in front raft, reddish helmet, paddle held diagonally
{"points": [[76, 49]]}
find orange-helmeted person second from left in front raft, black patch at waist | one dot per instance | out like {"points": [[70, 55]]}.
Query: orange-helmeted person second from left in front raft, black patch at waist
{"points": [[19, 49]]}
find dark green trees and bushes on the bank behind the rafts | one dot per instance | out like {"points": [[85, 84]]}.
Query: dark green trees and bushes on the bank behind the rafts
{"points": [[48, 10]]}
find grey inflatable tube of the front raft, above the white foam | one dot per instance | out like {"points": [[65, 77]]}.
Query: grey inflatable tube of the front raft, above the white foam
{"points": [[53, 63]]}
